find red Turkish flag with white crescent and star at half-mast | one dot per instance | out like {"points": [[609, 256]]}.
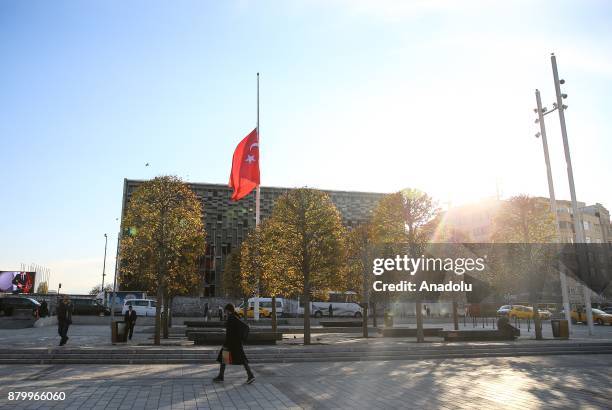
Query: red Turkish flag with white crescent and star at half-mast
{"points": [[245, 166]]}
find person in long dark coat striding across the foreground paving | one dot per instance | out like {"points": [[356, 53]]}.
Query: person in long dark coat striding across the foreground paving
{"points": [[232, 351]]}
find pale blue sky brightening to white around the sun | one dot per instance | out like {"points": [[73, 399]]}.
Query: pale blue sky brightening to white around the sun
{"points": [[355, 95]]}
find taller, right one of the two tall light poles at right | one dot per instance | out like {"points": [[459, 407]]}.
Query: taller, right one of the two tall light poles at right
{"points": [[578, 228]]}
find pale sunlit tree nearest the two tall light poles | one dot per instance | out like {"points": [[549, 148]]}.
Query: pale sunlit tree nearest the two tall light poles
{"points": [[526, 221]]}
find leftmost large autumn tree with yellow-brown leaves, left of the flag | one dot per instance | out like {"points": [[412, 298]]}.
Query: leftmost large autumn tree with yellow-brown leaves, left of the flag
{"points": [[162, 239]]}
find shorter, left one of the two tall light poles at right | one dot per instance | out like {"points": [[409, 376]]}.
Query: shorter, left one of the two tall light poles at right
{"points": [[553, 202]]}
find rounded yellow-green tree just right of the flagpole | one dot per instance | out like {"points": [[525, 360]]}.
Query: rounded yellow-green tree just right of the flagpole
{"points": [[306, 242]]}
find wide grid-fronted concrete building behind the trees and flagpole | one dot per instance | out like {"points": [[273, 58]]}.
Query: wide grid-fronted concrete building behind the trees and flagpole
{"points": [[227, 223]]}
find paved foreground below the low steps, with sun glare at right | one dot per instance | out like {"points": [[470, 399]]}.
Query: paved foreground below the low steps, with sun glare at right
{"points": [[487, 383]]}
